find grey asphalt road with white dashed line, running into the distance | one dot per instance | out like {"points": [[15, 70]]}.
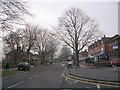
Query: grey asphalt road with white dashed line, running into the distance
{"points": [[49, 76]]}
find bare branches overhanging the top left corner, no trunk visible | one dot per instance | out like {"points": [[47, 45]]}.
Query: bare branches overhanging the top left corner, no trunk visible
{"points": [[11, 12]]}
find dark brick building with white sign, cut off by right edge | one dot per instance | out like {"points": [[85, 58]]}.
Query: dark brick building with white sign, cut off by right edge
{"points": [[114, 47]]}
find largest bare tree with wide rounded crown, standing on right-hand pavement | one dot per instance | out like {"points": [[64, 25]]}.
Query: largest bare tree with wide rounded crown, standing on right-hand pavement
{"points": [[77, 30]]}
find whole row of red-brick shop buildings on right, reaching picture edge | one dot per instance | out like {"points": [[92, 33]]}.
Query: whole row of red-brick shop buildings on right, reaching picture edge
{"points": [[106, 48]]}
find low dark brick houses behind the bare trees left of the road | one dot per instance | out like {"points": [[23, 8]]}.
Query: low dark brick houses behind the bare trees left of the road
{"points": [[19, 55]]}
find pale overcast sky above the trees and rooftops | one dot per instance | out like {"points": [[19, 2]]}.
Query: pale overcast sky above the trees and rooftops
{"points": [[47, 12]]}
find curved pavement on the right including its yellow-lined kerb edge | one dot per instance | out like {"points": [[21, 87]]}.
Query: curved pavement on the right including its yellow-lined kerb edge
{"points": [[102, 75]]}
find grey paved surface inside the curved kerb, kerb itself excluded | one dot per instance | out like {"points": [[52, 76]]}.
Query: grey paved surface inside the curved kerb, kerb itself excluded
{"points": [[106, 73]]}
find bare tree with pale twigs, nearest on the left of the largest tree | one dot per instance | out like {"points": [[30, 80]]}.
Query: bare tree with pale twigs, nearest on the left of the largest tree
{"points": [[44, 44]]}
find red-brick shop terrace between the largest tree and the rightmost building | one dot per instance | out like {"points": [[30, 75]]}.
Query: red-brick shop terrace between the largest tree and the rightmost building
{"points": [[99, 50]]}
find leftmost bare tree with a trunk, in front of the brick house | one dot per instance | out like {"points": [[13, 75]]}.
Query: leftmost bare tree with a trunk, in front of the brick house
{"points": [[12, 43]]}
